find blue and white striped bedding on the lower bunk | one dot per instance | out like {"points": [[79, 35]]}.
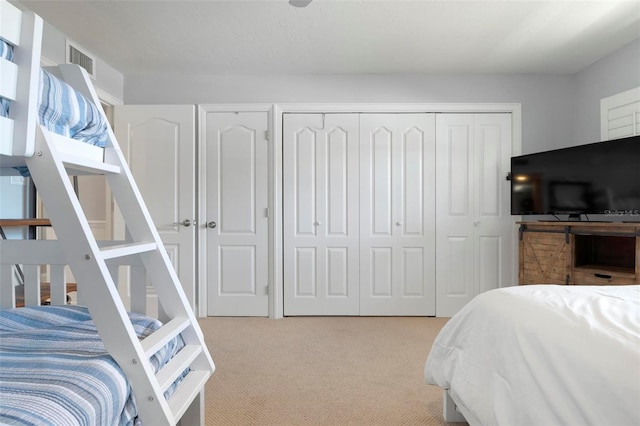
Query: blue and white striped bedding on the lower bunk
{"points": [[54, 369]]}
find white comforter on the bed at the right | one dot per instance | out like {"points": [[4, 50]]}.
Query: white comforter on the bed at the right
{"points": [[543, 355]]}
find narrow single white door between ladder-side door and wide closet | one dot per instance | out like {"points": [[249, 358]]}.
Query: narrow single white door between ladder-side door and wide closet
{"points": [[234, 184]]}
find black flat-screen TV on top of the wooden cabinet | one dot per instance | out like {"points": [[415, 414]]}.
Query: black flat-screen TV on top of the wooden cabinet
{"points": [[596, 178]]}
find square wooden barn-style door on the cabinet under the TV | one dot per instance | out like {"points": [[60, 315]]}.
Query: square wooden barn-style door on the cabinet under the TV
{"points": [[544, 258]]}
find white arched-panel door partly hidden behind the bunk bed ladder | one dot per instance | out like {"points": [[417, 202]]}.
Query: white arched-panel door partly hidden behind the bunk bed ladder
{"points": [[158, 142]]}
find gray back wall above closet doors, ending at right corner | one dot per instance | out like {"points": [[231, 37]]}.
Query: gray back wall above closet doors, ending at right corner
{"points": [[547, 100]]}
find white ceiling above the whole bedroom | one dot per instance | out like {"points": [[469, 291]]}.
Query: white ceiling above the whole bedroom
{"points": [[347, 36]]}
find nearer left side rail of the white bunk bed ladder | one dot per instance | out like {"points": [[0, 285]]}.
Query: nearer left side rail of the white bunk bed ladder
{"points": [[99, 291]]}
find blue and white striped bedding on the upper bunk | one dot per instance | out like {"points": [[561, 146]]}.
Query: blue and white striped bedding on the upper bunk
{"points": [[63, 110]]}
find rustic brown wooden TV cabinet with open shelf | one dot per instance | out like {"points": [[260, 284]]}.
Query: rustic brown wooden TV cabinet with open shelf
{"points": [[580, 253]]}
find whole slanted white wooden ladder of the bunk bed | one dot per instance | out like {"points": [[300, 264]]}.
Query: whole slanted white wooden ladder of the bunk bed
{"points": [[91, 265]]}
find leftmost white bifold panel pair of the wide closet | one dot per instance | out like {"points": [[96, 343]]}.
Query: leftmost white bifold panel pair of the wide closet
{"points": [[320, 178]]}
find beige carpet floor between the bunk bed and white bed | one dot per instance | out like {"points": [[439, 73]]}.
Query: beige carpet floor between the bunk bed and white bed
{"points": [[321, 371]]}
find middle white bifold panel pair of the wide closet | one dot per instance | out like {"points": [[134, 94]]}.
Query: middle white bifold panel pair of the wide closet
{"points": [[397, 216]]}
